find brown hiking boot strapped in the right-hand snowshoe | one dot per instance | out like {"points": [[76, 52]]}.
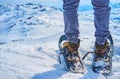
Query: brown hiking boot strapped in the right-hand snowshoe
{"points": [[100, 50]]}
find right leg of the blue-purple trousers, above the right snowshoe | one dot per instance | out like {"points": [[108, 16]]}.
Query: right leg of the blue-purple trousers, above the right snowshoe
{"points": [[101, 20]]}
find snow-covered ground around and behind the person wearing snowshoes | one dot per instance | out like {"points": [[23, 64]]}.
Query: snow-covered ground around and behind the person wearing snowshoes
{"points": [[29, 42]]}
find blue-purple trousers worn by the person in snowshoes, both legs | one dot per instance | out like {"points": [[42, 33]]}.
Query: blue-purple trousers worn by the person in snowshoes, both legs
{"points": [[101, 19]]}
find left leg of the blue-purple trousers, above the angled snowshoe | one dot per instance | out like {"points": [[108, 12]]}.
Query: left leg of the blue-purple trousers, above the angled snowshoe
{"points": [[71, 19]]}
